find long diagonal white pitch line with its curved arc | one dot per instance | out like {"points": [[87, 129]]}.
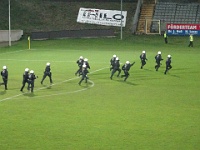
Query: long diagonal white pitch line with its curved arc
{"points": [[15, 96]]}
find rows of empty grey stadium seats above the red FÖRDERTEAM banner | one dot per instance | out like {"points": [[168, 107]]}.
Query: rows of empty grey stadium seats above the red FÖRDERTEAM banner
{"points": [[171, 12]]}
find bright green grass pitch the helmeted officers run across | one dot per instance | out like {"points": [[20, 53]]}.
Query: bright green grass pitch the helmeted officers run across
{"points": [[148, 111]]}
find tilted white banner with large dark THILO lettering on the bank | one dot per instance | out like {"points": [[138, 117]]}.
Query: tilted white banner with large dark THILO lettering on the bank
{"points": [[102, 17]]}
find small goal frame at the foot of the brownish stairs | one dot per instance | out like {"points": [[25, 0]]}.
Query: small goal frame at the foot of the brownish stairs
{"points": [[152, 26]]}
